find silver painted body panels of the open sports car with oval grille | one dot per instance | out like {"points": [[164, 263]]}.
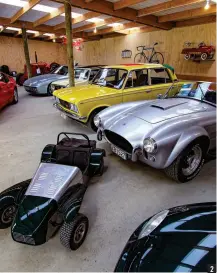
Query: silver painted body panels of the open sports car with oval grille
{"points": [[173, 123]]}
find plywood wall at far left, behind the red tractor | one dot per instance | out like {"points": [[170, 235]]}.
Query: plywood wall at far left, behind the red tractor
{"points": [[11, 52]]}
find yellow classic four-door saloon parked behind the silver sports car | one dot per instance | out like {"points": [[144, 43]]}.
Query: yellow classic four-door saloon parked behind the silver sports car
{"points": [[114, 85]]}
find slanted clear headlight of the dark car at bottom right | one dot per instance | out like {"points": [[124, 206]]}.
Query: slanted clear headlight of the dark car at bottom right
{"points": [[153, 223]]}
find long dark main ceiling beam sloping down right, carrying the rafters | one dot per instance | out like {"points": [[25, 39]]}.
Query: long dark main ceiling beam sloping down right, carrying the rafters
{"points": [[106, 7]]}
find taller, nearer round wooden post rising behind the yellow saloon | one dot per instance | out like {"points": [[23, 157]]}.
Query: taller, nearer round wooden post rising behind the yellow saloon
{"points": [[68, 21]]}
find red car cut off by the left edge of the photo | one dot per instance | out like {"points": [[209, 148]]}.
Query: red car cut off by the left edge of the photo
{"points": [[8, 90]]}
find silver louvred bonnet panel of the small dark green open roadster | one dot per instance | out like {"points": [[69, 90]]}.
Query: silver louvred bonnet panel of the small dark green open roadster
{"points": [[52, 180]]}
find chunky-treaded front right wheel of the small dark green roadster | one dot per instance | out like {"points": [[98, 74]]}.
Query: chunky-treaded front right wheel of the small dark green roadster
{"points": [[72, 235]]}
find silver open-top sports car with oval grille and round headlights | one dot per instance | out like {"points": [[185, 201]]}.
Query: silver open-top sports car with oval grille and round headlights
{"points": [[175, 133]]}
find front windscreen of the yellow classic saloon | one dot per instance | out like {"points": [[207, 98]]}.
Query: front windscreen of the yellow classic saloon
{"points": [[111, 77]]}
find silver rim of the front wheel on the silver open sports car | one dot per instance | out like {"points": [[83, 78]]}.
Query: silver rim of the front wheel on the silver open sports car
{"points": [[192, 160]]}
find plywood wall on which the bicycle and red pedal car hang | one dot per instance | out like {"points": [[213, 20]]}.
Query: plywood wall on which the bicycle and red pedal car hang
{"points": [[108, 51]]}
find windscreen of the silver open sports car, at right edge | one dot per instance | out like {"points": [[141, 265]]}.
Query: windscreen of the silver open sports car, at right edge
{"points": [[204, 91]]}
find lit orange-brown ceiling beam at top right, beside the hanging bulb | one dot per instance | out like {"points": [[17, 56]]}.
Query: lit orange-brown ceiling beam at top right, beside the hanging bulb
{"points": [[187, 14]]}
